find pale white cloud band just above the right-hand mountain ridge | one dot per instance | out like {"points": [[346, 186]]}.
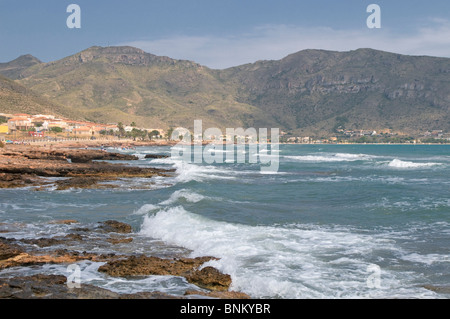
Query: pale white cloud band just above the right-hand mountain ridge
{"points": [[276, 41]]}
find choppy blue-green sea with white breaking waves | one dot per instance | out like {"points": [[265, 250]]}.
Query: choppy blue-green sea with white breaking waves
{"points": [[334, 221]]}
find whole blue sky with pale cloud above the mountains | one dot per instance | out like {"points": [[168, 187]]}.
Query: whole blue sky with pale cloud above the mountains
{"points": [[225, 33]]}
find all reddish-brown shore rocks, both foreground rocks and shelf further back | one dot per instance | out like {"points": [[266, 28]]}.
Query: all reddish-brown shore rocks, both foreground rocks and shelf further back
{"points": [[24, 166]]}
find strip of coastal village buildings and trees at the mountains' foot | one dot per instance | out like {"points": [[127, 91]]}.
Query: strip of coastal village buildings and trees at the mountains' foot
{"points": [[19, 128]]}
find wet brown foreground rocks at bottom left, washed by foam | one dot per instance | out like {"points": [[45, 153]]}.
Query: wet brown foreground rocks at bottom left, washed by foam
{"points": [[37, 252]]}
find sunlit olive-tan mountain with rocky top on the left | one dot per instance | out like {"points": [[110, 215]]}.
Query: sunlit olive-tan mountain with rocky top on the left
{"points": [[126, 84]]}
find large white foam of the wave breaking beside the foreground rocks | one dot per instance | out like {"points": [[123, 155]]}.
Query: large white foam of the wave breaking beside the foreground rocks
{"points": [[283, 262]]}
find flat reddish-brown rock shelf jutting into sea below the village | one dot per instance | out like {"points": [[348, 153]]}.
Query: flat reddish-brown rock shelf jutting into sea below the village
{"points": [[22, 166]]}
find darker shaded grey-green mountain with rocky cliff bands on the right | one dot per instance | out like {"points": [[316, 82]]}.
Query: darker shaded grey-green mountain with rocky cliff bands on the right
{"points": [[317, 90]]}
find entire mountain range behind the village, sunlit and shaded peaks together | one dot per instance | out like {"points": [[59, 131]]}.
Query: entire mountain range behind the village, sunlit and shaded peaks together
{"points": [[309, 92]]}
